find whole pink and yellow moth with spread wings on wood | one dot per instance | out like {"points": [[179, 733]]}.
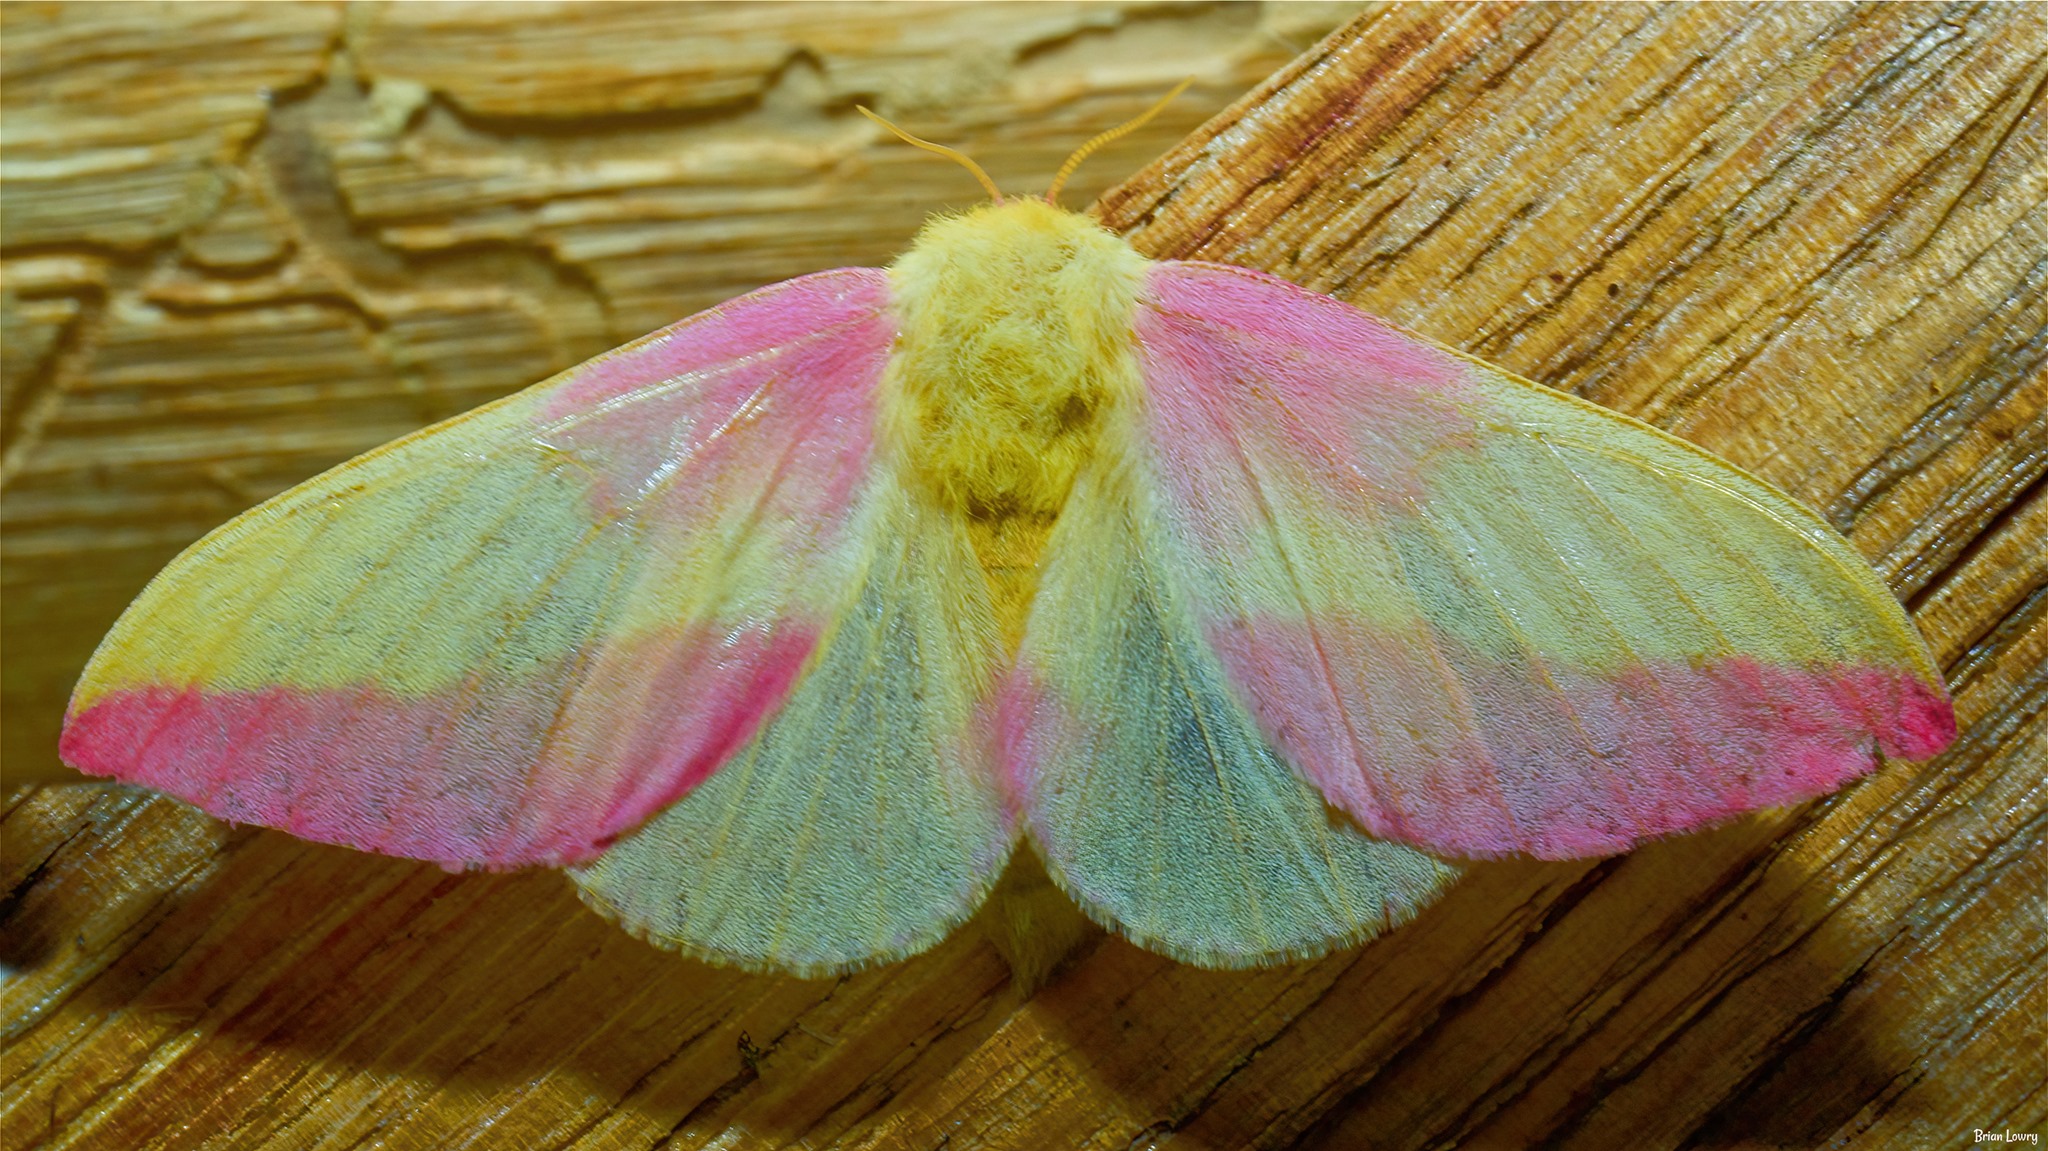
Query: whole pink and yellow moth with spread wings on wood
{"points": [[785, 626]]}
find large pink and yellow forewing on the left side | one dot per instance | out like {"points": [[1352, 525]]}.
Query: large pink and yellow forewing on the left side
{"points": [[515, 636]]}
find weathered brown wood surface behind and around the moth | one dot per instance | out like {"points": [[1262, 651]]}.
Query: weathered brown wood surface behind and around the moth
{"points": [[243, 245]]}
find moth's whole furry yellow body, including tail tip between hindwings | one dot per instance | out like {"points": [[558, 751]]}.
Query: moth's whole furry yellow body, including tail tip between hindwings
{"points": [[1015, 341]]}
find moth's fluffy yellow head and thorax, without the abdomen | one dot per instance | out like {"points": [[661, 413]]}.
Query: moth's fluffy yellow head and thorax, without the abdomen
{"points": [[1015, 337]]}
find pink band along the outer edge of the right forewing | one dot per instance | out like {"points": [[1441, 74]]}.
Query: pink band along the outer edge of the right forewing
{"points": [[1560, 763]]}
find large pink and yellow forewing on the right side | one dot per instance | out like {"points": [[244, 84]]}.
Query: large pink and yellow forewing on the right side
{"points": [[1486, 617]]}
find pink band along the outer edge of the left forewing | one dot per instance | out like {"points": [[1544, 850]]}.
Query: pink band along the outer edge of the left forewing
{"points": [[433, 777]]}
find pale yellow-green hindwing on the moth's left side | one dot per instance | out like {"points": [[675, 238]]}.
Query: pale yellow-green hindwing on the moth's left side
{"points": [[865, 820]]}
